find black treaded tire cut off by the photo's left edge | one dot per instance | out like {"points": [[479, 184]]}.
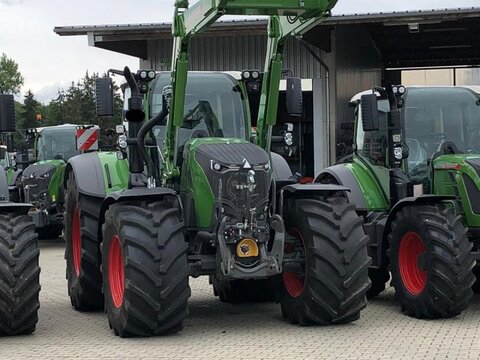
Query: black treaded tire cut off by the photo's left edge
{"points": [[19, 275]]}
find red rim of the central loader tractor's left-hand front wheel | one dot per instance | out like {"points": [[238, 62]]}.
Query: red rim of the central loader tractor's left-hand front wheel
{"points": [[116, 271]]}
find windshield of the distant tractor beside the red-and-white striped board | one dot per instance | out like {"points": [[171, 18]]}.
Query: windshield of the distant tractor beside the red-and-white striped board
{"points": [[56, 143]]}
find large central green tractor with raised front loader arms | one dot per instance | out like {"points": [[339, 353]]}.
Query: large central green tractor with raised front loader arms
{"points": [[191, 192]]}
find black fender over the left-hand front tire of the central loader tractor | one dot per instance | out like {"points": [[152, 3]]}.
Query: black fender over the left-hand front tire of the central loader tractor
{"points": [[139, 194]]}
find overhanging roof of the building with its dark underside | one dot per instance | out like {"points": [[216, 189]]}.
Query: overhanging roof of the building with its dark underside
{"points": [[408, 39]]}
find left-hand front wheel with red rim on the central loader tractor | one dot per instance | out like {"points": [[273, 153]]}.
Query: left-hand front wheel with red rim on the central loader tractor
{"points": [[145, 269]]}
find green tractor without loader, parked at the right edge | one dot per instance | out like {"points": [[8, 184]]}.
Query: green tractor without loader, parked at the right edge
{"points": [[415, 179]]}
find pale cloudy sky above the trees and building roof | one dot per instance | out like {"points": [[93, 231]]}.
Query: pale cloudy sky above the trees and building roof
{"points": [[49, 62]]}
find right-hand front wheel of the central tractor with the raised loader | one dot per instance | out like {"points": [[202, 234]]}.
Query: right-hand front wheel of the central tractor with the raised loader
{"points": [[331, 286]]}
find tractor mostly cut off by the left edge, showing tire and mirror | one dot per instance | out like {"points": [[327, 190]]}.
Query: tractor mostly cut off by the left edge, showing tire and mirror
{"points": [[19, 268]]}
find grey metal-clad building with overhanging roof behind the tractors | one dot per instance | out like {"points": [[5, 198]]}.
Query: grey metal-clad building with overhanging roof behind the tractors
{"points": [[338, 58]]}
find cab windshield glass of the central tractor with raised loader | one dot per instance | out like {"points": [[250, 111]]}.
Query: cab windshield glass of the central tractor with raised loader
{"points": [[213, 107]]}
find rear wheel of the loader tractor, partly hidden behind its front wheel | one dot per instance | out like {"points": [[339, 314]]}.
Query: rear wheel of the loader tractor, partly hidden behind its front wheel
{"points": [[82, 250]]}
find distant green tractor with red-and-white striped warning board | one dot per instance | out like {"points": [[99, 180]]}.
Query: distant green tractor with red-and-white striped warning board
{"points": [[41, 183]]}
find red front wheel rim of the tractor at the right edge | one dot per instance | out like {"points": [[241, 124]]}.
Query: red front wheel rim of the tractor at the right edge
{"points": [[411, 247]]}
